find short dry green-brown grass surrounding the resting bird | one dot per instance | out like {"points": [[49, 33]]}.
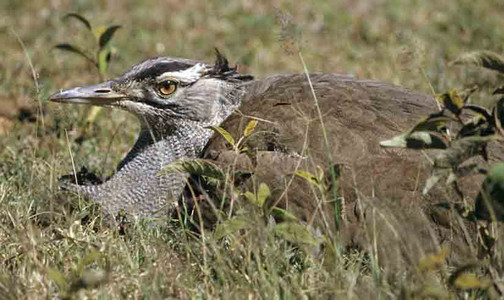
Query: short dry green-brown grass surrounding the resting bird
{"points": [[45, 249]]}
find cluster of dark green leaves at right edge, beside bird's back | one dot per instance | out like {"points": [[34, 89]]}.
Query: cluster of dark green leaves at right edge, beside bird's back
{"points": [[469, 137]]}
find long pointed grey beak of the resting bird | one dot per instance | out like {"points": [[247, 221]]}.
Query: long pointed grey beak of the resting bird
{"points": [[99, 94]]}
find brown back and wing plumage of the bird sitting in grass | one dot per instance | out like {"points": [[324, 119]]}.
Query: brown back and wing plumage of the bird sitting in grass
{"points": [[357, 115]]}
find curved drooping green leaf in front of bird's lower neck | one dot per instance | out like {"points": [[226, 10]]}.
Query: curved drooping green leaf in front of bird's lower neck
{"points": [[198, 166]]}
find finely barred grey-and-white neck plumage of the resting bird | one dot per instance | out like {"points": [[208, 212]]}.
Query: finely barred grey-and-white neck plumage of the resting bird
{"points": [[137, 186]]}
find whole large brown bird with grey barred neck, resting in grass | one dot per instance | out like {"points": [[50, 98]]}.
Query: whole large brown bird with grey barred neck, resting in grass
{"points": [[305, 122]]}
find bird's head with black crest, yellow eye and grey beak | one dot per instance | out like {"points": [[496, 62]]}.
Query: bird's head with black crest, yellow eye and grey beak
{"points": [[165, 91]]}
